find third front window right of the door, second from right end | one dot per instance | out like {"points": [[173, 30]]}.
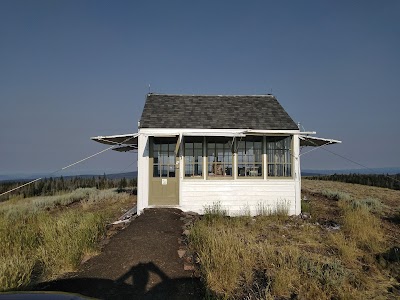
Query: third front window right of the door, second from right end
{"points": [[249, 157]]}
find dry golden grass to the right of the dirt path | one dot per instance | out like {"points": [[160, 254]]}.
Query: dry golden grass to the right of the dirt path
{"points": [[280, 257]]}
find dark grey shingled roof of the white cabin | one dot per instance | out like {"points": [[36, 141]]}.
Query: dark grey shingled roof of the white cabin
{"points": [[262, 112]]}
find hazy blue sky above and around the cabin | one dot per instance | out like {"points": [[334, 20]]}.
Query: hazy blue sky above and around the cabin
{"points": [[74, 69]]}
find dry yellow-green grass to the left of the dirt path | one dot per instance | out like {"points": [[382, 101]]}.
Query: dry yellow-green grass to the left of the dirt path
{"points": [[41, 242]]}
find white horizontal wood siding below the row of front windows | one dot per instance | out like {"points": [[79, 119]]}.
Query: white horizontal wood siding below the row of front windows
{"points": [[238, 197]]}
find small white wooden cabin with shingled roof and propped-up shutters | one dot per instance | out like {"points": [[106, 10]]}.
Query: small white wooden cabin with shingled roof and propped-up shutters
{"points": [[196, 151]]}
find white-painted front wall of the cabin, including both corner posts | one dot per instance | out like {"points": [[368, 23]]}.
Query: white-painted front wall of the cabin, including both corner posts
{"points": [[237, 196]]}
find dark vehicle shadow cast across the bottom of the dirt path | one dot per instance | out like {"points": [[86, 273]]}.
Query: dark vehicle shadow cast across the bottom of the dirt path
{"points": [[131, 285]]}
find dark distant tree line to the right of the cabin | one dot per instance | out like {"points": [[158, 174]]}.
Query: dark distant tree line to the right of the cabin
{"points": [[379, 180]]}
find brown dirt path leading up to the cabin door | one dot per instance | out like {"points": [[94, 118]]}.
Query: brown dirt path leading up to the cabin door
{"points": [[140, 262]]}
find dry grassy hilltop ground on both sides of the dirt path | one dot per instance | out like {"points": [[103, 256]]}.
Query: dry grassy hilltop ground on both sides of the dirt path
{"points": [[345, 246]]}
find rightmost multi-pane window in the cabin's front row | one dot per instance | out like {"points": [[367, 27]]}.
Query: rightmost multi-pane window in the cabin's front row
{"points": [[279, 156]]}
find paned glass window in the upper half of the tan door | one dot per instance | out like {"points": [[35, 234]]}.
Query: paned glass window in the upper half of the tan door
{"points": [[164, 157]]}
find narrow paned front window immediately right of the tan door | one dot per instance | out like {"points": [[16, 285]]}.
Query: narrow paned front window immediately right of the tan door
{"points": [[193, 153]]}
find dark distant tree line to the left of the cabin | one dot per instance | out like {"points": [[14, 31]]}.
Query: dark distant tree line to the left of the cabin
{"points": [[52, 186]]}
